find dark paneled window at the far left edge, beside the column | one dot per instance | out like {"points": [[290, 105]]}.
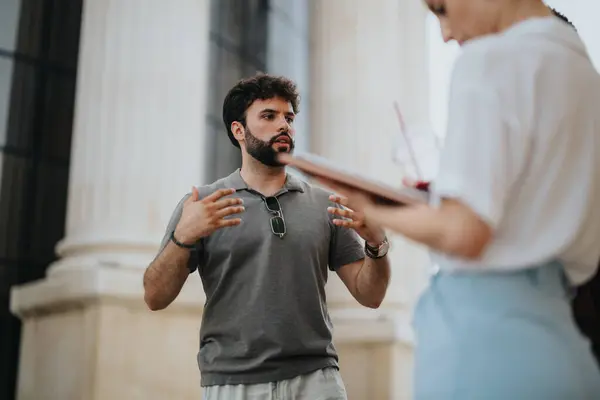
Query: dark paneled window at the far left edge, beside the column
{"points": [[39, 42]]}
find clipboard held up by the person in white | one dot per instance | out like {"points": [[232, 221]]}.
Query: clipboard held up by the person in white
{"points": [[382, 194]]}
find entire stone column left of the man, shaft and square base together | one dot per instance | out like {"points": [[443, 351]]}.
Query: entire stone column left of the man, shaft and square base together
{"points": [[138, 146]]}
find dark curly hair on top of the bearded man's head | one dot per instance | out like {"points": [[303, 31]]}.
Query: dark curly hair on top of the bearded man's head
{"points": [[258, 87]]}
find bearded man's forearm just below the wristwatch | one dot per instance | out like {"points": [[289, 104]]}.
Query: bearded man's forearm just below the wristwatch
{"points": [[372, 281]]}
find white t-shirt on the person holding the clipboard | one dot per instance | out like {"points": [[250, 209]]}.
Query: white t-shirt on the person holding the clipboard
{"points": [[522, 148]]}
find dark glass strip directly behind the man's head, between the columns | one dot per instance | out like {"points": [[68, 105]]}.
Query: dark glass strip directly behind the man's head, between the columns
{"points": [[238, 46]]}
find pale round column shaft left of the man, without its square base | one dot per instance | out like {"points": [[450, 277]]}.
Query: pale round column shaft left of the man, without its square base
{"points": [[138, 135]]}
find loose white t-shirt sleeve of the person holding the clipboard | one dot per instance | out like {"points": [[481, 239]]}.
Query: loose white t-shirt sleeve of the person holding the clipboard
{"points": [[484, 150]]}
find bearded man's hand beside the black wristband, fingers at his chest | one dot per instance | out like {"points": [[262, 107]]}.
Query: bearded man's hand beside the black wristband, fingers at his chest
{"points": [[200, 218]]}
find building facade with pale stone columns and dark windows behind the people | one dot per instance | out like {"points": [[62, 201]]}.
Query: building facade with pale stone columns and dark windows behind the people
{"points": [[110, 112]]}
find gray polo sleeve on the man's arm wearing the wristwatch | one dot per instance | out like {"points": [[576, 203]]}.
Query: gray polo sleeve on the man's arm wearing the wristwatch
{"points": [[346, 246]]}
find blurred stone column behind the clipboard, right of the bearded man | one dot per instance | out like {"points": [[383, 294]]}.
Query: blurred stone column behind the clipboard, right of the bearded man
{"points": [[365, 56]]}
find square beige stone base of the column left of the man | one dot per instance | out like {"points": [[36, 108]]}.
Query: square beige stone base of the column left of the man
{"points": [[88, 335]]}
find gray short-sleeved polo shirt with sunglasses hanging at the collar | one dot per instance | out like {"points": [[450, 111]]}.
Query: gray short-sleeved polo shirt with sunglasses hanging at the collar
{"points": [[265, 318]]}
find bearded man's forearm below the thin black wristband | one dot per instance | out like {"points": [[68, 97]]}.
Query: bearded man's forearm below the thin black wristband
{"points": [[165, 276]]}
